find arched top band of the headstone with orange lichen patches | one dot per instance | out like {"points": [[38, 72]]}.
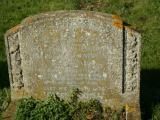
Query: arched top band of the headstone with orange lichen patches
{"points": [[114, 20]]}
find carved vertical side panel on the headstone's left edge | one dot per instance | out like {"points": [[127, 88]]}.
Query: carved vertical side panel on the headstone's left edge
{"points": [[14, 61]]}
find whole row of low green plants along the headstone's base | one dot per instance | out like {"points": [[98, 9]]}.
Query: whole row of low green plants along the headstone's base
{"points": [[55, 108]]}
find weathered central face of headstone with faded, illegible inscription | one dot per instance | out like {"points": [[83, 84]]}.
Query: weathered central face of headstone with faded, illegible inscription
{"points": [[74, 54]]}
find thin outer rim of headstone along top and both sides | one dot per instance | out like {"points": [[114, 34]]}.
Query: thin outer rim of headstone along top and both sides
{"points": [[116, 21]]}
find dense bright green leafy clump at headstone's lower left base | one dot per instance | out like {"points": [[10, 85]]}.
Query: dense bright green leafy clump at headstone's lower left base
{"points": [[52, 108]]}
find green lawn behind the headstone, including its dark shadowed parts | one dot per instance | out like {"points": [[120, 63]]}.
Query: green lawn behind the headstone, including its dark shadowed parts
{"points": [[144, 15]]}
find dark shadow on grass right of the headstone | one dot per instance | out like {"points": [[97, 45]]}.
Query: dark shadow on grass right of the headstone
{"points": [[150, 91]]}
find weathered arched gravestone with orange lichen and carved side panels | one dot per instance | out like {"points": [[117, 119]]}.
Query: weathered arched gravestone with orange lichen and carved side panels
{"points": [[58, 51]]}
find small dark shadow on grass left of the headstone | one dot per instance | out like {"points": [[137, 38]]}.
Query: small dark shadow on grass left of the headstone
{"points": [[4, 77]]}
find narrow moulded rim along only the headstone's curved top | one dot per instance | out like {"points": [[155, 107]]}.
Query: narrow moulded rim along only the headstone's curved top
{"points": [[115, 20]]}
